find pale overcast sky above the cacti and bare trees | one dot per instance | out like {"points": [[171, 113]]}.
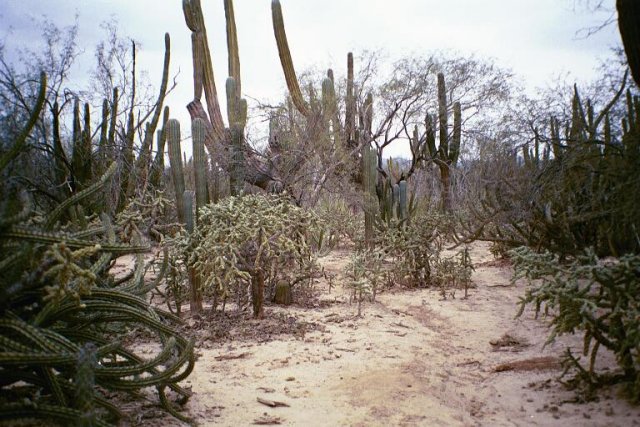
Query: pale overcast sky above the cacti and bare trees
{"points": [[535, 38]]}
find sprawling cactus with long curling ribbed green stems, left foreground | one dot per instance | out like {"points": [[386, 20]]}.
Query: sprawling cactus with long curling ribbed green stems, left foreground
{"points": [[62, 312]]}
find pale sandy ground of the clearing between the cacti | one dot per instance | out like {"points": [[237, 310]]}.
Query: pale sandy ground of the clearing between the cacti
{"points": [[412, 359]]}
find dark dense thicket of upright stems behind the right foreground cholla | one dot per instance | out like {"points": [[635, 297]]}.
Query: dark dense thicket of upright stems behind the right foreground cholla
{"points": [[571, 190]]}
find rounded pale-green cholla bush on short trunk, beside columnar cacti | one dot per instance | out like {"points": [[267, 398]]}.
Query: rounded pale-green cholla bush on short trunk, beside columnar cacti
{"points": [[249, 242]]}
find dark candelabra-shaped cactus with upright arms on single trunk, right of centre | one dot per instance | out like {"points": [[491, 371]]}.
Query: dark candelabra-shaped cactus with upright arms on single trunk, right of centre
{"points": [[446, 155]]}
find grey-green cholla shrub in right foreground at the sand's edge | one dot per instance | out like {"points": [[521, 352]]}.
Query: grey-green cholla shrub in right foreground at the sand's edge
{"points": [[598, 298]]}
